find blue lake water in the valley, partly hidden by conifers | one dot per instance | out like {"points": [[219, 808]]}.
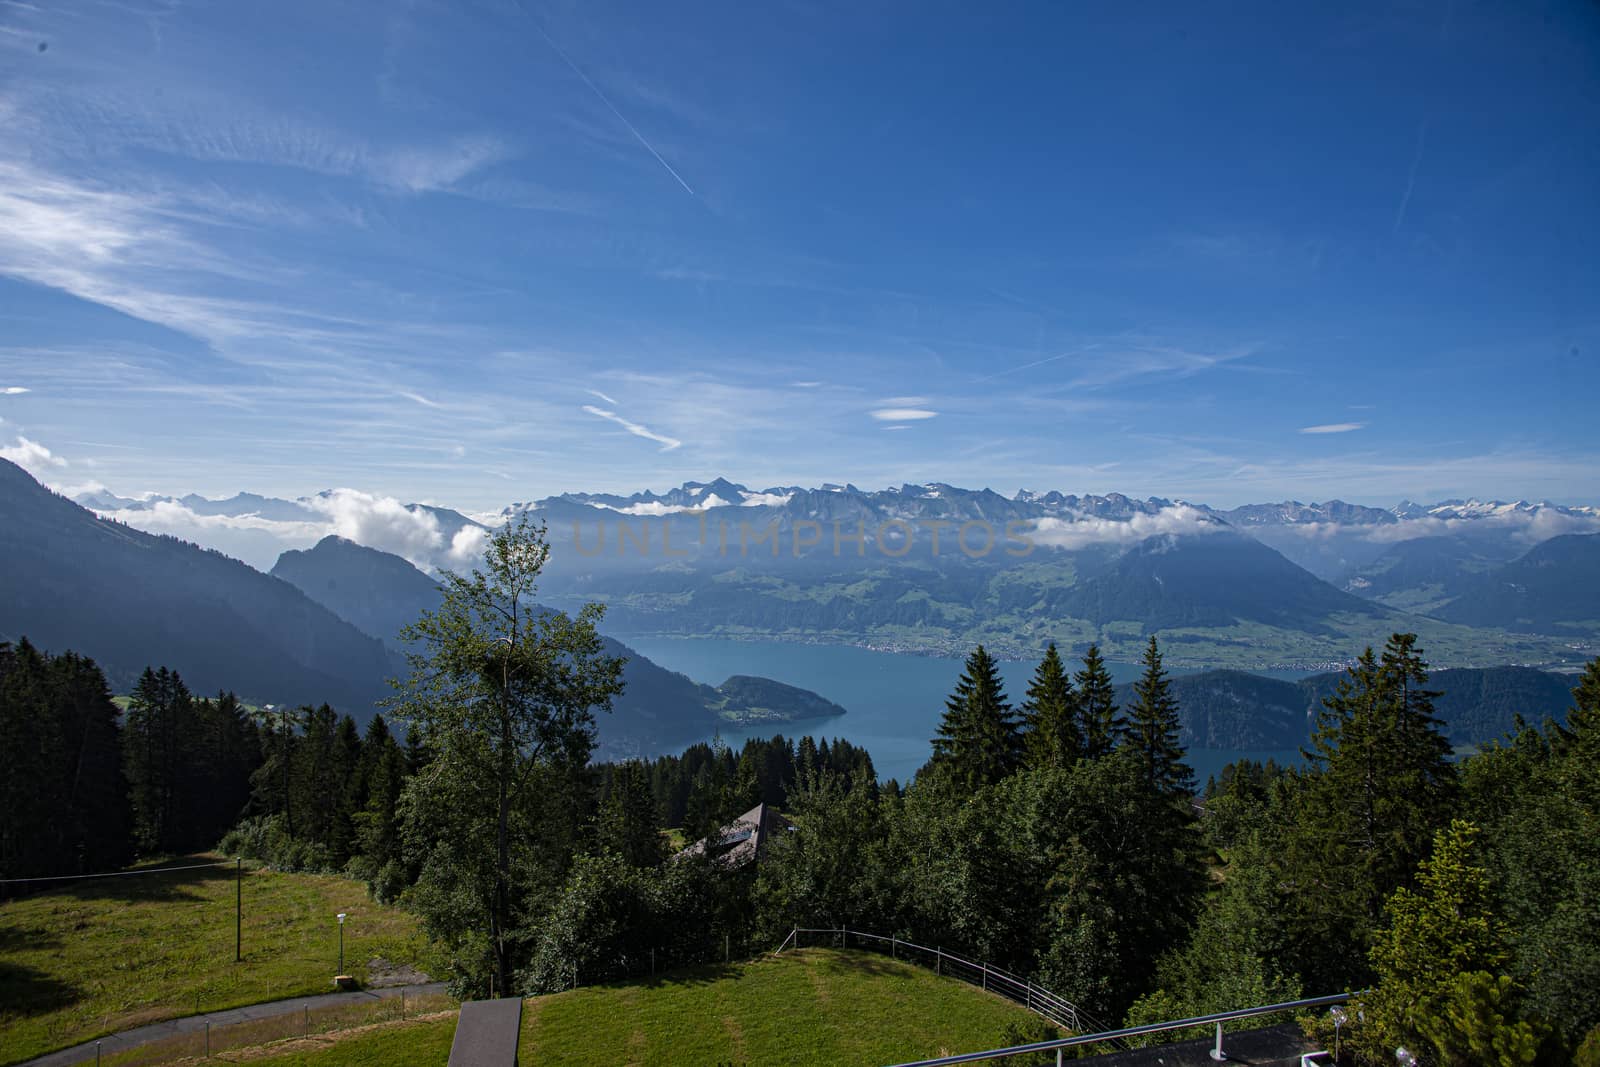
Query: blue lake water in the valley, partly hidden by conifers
{"points": [[894, 700]]}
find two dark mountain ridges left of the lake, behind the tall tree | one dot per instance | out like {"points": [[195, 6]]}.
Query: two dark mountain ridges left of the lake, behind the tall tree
{"points": [[321, 629]]}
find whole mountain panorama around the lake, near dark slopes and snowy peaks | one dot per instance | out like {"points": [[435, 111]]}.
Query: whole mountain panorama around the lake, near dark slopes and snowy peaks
{"points": [[324, 625]]}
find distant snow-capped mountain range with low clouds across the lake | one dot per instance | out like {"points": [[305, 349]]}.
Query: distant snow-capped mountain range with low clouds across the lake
{"points": [[938, 569]]}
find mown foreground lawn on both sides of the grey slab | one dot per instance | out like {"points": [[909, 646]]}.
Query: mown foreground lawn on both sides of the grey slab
{"points": [[807, 1007]]}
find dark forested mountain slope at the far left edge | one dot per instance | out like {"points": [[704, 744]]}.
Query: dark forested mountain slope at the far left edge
{"points": [[129, 599]]}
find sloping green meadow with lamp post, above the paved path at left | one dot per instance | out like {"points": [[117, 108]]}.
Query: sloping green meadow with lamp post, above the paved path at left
{"points": [[111, 954]]}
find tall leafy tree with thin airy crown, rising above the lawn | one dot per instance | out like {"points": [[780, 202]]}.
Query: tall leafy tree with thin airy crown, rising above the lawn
{"points": [[505, 695]]}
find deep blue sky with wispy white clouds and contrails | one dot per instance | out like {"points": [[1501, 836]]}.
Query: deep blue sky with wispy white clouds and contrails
{"points": [[487, 252]]}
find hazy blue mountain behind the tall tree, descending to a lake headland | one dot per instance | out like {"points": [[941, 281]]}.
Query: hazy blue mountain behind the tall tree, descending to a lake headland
{"points": [[382, 593]]}
